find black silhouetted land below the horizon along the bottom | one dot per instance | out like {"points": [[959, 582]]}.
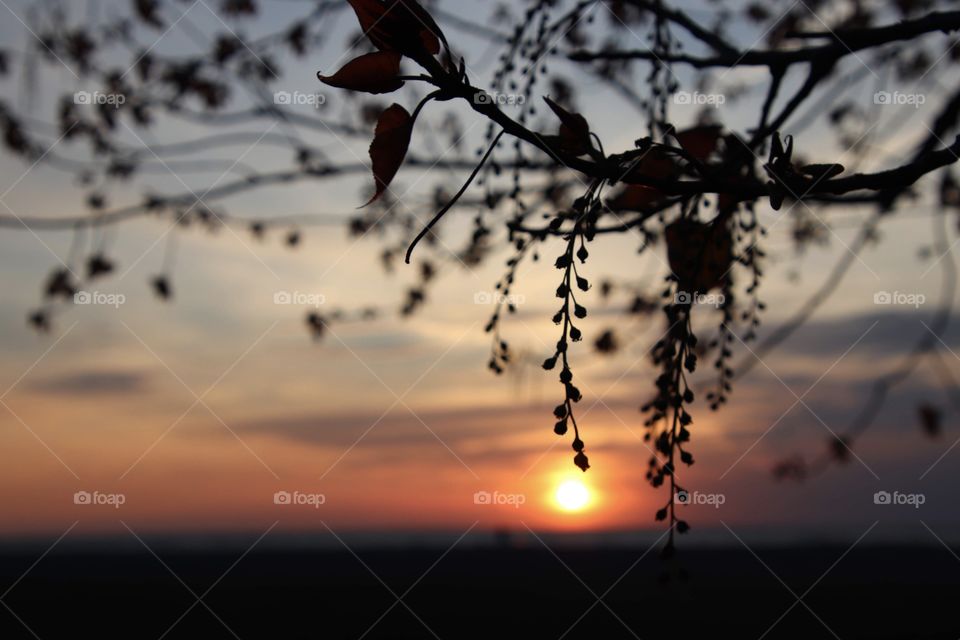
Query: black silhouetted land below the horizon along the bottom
{"points": [[895, 593]]}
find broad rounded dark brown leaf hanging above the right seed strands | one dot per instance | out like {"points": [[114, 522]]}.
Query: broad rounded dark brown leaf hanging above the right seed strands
{"points": [[700, 254]]}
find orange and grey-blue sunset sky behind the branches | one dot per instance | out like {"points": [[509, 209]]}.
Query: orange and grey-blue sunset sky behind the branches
{"points": [[199, 411]]}
